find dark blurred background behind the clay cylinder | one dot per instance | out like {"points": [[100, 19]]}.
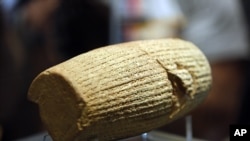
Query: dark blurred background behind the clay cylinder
{"points": [[37, 34]]}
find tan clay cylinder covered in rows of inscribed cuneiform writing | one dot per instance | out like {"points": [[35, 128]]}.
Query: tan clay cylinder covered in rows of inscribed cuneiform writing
{"points": [[121, 90]]}
